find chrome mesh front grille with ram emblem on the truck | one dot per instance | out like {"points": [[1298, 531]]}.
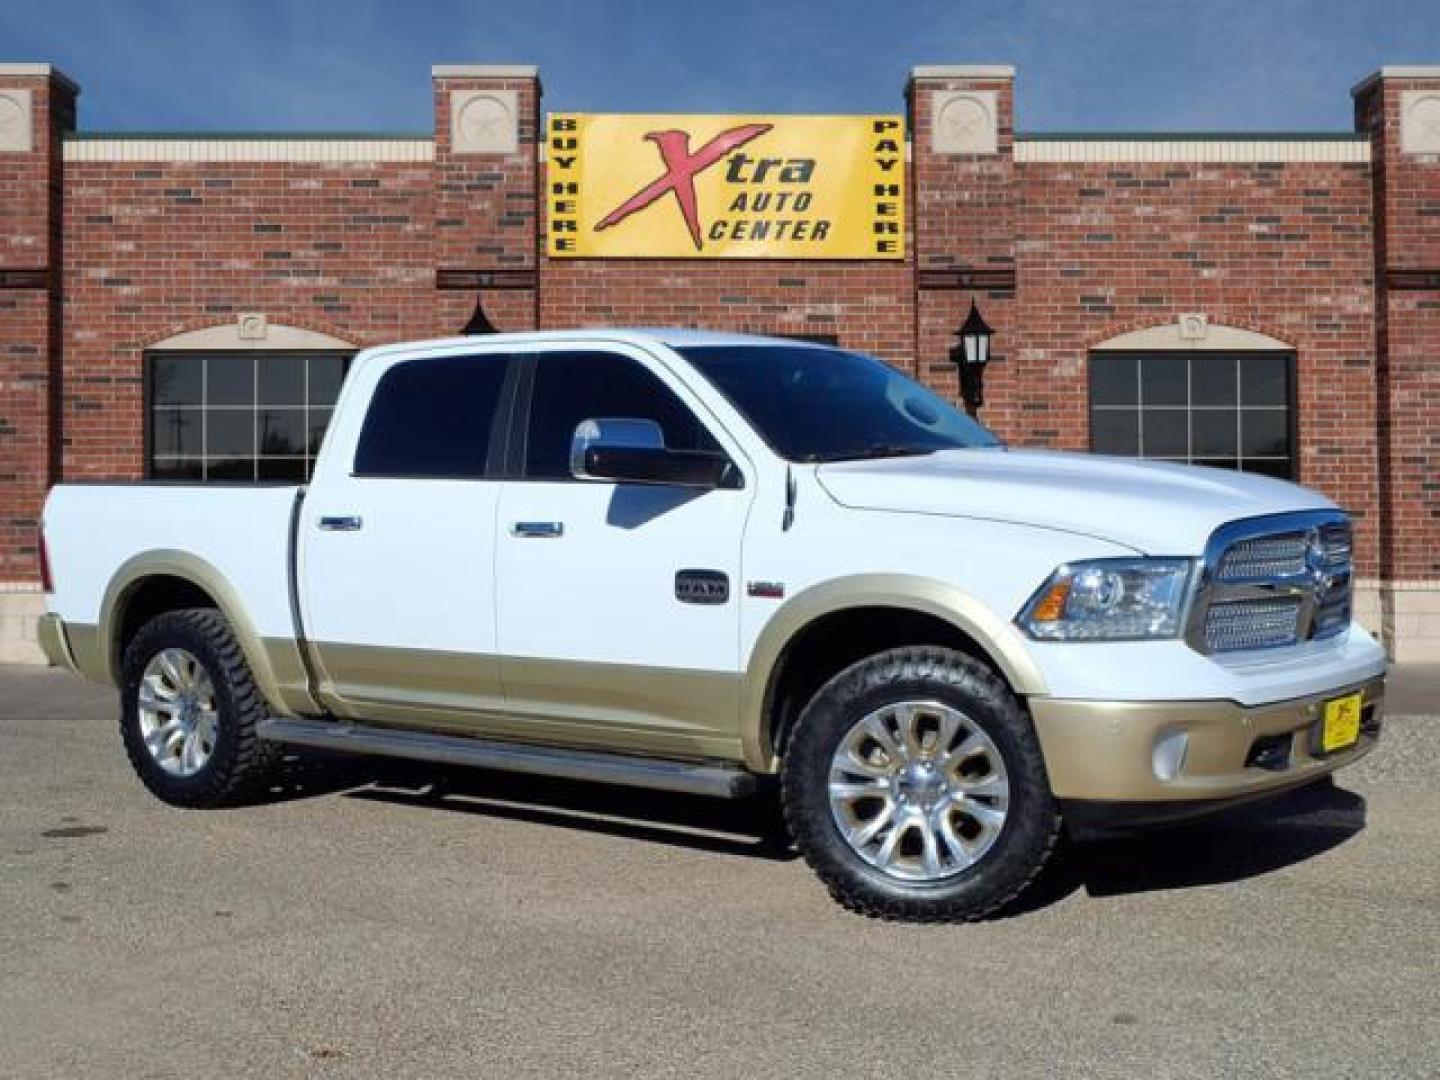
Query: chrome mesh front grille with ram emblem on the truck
{"points": [[1272, 582]]}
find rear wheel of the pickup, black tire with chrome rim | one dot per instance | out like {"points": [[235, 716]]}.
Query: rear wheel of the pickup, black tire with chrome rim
{"points": [[191, 709]]}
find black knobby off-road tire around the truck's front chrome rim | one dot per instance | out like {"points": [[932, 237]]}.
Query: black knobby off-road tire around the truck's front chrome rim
{"points": [[1026, 840]]}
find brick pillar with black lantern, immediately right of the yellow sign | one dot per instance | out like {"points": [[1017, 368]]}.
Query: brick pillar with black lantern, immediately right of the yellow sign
{"points": [[964, 212]]}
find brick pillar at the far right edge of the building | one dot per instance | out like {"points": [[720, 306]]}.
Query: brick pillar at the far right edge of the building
{"points": [[1400, 109]]}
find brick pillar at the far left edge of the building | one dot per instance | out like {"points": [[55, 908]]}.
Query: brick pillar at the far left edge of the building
{"points": [[37, 107]]}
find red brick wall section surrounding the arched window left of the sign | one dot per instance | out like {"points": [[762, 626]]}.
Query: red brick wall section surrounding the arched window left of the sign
{"points": [[161, 248]]}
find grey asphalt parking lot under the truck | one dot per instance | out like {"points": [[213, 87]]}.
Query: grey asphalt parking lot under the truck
{"points": [[402, 922]]}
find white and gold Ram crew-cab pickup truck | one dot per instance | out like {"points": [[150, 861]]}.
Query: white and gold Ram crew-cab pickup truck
{"points": [[688, 561]]}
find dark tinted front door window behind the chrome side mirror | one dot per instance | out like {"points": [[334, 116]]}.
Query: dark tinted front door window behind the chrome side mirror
{"points": [[571, 388]]}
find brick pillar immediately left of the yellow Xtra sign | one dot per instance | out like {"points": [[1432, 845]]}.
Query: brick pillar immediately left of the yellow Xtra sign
{"points": [[487, 123]]}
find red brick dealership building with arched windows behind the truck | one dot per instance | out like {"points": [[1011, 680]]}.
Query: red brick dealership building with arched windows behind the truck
{"points": [[1259, 302]]}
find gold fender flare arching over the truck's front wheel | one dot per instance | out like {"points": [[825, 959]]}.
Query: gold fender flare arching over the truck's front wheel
{"points": [[1002, 642]]}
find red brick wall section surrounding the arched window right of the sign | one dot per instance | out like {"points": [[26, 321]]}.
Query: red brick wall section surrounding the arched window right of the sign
{"points": [[1284, 250]]}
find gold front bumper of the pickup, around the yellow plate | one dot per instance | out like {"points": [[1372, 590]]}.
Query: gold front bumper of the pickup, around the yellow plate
{"points": [[1125, 752]]}
